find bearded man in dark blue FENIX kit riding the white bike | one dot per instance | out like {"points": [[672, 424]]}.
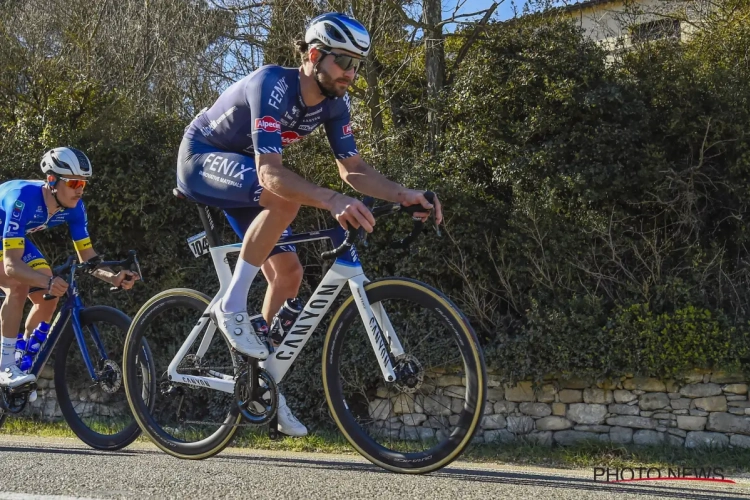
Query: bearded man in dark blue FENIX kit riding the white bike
{"points": [[231, 157]]}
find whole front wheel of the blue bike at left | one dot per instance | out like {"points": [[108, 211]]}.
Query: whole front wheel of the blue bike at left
{"points": [[97, 410]]}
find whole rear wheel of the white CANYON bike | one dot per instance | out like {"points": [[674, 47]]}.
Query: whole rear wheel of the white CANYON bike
{"points": [[186, 421]]}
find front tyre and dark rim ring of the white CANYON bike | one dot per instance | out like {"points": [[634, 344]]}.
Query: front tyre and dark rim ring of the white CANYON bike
{"points": [[476, 375]]}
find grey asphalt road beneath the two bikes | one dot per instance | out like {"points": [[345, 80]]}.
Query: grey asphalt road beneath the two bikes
{"points": [[35, 469]]}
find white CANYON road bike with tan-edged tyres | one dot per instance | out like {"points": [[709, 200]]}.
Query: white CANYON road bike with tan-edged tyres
{"points": [[384, 385]]}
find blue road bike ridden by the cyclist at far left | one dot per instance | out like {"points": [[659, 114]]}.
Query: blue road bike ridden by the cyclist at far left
{"points": [[87, 380]]}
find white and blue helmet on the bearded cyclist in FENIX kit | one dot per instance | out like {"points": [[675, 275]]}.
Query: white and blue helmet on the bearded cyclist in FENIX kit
{"points": [[339, 31]]}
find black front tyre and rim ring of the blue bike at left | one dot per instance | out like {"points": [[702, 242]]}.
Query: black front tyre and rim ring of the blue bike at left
{"points": [[109, 442]]}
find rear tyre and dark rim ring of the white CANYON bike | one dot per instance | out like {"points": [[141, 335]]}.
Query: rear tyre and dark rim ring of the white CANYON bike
{"points": [[199, 450]]}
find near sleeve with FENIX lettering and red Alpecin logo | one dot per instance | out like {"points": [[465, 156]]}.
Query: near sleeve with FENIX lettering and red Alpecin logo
{"points": [[267, 94]]}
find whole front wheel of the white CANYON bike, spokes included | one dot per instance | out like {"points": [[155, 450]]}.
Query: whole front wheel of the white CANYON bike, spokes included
{"points": [[426, 418]]}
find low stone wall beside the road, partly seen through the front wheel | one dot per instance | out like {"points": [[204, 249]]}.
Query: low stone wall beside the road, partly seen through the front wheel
{"points": [[699, 409]]}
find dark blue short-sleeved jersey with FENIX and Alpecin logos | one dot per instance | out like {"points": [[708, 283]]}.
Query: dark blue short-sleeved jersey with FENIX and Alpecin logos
{"points": [[264, 112]]}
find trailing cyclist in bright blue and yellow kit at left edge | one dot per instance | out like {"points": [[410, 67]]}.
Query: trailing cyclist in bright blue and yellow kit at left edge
{"points": [[27, 206]]}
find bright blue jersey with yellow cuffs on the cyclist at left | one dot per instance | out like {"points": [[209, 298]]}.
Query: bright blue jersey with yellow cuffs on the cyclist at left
{"points": [[23, 211]]}
